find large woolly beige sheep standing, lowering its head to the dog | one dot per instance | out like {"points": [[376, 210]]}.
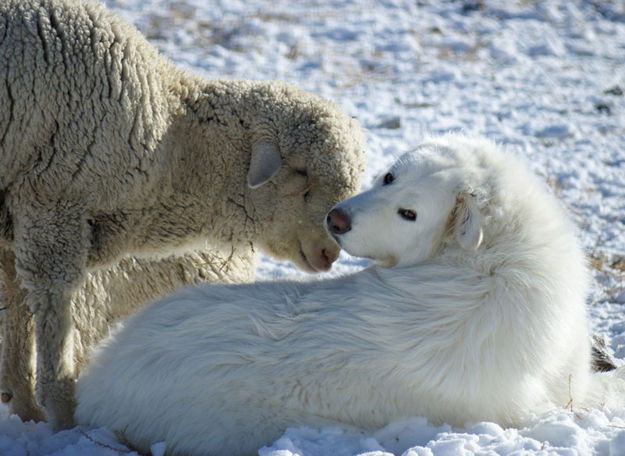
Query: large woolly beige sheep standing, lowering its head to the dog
{"points": [[109, 151]]}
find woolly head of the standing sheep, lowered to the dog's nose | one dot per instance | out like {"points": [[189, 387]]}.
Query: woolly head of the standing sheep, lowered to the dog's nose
{"points": [[303, 162]]}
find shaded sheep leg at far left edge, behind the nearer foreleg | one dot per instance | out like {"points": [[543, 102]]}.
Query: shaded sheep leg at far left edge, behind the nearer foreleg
{"points": [[17, 368]]}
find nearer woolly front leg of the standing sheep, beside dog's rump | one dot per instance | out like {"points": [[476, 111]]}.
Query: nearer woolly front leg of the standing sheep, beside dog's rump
{"points": [[51, 247]]}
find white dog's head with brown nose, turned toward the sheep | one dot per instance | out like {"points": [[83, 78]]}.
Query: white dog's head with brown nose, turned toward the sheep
{"points": [[423, 201]]}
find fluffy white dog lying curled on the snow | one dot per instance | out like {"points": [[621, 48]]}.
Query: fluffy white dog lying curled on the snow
{"points": [[475, 312]]}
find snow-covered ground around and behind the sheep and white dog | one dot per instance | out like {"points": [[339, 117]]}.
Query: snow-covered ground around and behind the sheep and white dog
{"points": [[544, 78]]}
